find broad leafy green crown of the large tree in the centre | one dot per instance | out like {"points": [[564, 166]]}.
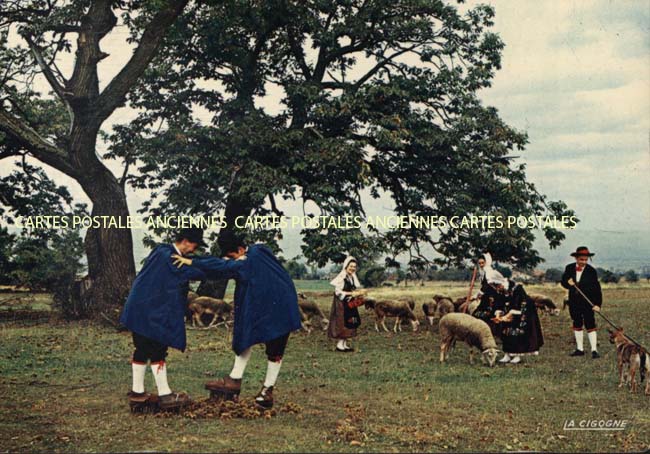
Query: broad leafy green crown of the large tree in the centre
{"points": [[376, 95]]}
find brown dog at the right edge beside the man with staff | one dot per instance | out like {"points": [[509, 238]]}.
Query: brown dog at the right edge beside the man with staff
{"points": [[630, 357]]}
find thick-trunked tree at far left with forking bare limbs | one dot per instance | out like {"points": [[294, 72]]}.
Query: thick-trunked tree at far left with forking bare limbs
{"points": [[61, 128]]}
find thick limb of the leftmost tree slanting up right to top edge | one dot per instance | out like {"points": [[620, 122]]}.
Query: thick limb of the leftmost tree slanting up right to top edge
{"points": [[115, 93]]}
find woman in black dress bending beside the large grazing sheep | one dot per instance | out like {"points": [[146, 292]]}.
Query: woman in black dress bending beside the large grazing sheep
{"points": [[521, 330]]}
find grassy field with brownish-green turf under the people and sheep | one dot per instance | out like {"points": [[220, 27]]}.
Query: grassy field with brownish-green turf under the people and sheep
{"points": [[63, 388]]}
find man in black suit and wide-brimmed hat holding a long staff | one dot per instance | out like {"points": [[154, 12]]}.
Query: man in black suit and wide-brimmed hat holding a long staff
{"points": [[585, 277]]}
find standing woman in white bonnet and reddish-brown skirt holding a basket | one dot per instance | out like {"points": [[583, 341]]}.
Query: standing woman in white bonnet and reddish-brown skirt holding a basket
{"points": [[344, 314]]}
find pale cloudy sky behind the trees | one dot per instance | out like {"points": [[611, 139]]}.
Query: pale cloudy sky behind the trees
{"points": [[575, 76]]}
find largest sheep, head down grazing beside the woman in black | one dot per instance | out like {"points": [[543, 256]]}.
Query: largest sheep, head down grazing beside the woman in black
{"points": [[472, 330]]}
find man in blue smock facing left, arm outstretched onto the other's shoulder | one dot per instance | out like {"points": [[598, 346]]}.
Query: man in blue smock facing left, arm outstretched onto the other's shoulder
{"points": [[266, 309]]}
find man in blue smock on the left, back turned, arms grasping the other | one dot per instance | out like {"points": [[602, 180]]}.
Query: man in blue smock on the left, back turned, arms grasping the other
{"points": [[155, 313]]}
